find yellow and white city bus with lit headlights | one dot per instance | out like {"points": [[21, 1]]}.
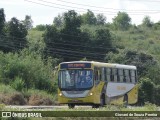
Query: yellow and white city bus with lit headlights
{"points": [[96, 83]]}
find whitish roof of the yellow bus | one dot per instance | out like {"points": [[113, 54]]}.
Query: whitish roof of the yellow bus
{"points": [[101, 64]]}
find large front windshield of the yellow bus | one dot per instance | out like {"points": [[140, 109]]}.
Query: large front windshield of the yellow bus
{"points": [[75, 79]]}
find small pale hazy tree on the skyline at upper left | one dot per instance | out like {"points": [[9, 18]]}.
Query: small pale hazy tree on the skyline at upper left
{"points": [[28, 22]]}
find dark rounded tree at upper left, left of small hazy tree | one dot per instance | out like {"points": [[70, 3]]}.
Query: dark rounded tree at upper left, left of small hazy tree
{"points": [[17, 33]]}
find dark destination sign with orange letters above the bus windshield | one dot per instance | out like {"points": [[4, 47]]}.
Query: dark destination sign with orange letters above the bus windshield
{"points": [[75, 65]]}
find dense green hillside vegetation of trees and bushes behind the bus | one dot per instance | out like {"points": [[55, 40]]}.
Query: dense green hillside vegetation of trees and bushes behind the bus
{"points": [[28, 56]]}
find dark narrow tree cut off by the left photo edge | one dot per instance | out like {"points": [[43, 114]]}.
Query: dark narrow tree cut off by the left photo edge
{"points": [[2, 20]]}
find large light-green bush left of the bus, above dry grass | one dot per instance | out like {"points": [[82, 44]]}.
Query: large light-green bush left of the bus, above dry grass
{"points": [[27, 70]]}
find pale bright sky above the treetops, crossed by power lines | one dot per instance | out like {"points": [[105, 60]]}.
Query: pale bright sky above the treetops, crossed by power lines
{"points": [[44, 11]]}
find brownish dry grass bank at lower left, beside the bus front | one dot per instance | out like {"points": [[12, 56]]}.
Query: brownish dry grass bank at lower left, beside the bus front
{"points": [[10, 96]]}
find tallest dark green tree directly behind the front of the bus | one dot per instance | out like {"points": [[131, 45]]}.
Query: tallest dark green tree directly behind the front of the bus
{"points": [[70, 36]]}
